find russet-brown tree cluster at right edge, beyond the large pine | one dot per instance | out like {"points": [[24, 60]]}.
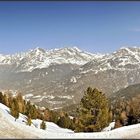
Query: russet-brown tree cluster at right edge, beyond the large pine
{"points": [[126, 111]]}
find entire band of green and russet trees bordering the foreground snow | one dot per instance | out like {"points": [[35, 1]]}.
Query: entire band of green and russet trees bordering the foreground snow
{"points": [[93, 113]]}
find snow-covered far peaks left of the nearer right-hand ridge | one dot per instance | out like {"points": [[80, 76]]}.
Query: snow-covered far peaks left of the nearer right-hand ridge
{"points": [[40, 58]]}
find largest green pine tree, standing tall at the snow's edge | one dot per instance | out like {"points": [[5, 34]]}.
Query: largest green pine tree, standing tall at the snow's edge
{"points": [[93, 112]]}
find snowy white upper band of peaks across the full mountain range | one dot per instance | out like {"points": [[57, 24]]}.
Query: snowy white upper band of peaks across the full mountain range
{"points": [[40, 58]]}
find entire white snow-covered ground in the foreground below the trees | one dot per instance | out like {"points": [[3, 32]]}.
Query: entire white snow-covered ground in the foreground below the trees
{"points": [[10, 128]]}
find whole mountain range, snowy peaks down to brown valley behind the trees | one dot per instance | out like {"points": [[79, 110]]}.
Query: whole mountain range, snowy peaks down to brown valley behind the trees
{"points": [[59, 77]]}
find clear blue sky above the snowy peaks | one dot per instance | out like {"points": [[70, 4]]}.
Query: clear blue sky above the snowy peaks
{"points": [[92, 26]]}
